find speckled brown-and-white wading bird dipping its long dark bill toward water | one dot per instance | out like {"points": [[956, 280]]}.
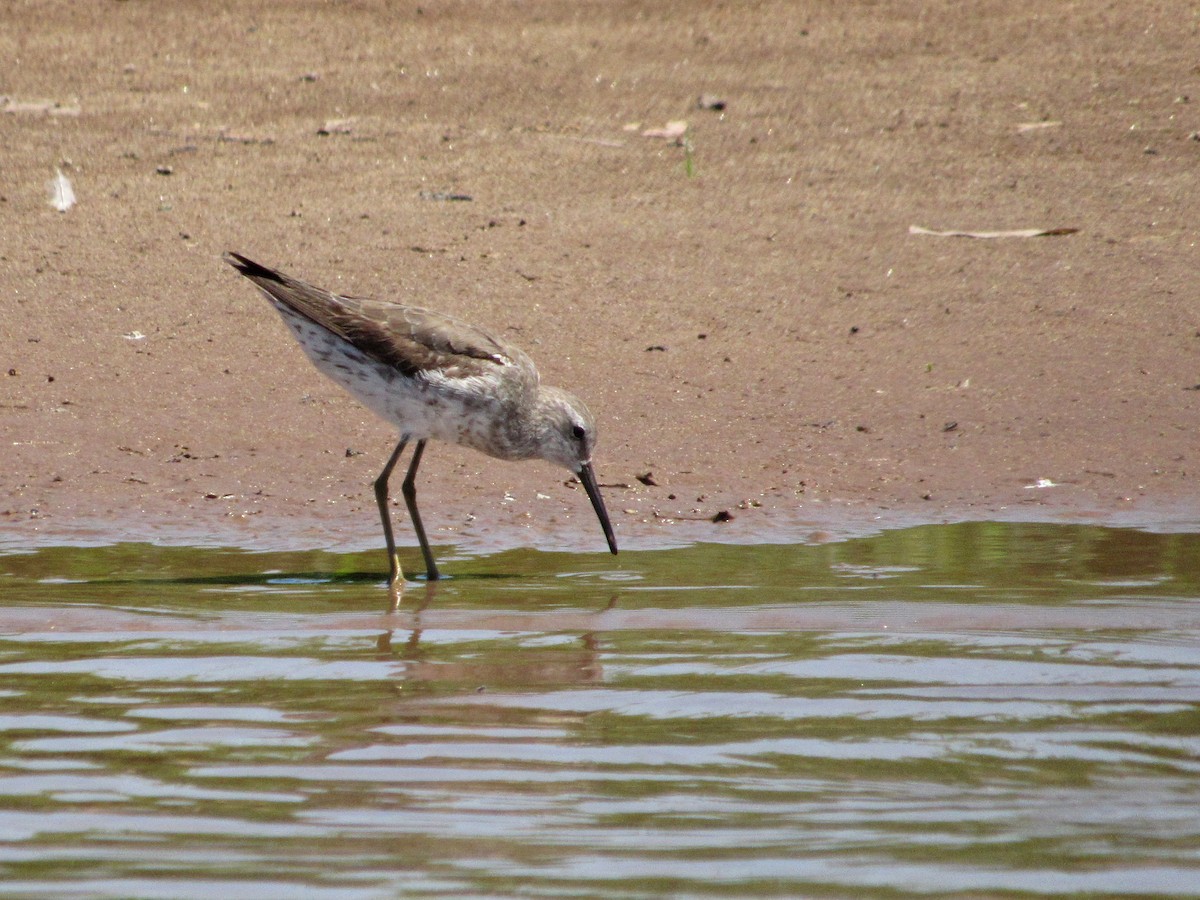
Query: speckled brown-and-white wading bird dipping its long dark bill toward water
{"points": [[434, 377]]}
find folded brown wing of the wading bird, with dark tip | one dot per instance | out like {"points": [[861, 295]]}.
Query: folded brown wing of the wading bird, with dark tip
{"points": [[407, 338]]}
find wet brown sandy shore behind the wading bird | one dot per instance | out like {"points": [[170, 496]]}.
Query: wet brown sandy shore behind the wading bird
{"points": [[743, 305]]}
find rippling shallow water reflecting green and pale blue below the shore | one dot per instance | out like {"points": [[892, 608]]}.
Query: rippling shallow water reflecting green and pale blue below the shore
{"points": [[953, 710]]}
